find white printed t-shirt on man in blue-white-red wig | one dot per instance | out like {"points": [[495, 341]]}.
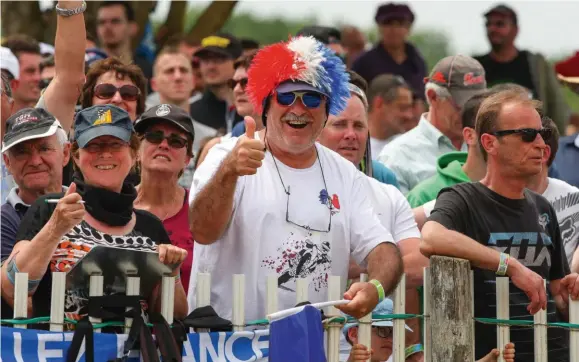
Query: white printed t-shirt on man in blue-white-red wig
{"points": [[259, 242]]}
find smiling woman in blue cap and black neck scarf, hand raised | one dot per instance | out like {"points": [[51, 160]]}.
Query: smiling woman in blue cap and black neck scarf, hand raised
{"points": [[96, 210]]}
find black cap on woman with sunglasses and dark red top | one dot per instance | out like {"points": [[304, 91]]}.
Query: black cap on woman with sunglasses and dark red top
{"points": [[166, 113]]}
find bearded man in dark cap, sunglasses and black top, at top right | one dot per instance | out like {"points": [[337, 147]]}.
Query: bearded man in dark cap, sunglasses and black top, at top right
{"points": [[507, 64]]}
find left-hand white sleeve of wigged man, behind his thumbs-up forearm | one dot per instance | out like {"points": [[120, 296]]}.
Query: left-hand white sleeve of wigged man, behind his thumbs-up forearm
{"points": [[209, 166]]}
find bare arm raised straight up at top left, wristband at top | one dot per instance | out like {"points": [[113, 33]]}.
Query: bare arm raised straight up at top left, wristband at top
{"points": [[62, 93]]}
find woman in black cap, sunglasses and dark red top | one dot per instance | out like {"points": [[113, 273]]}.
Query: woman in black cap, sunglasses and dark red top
{"points": [[167, 137]]}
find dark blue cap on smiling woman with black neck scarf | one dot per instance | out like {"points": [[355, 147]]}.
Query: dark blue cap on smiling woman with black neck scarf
{"points": [[102, 120]]}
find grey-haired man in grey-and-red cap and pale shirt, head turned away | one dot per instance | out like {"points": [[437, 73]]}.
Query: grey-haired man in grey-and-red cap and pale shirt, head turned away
{"points": [[413, 155]]}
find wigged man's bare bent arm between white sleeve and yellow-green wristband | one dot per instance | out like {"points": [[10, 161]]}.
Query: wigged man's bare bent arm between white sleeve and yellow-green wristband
{"points": [[385, 265]]}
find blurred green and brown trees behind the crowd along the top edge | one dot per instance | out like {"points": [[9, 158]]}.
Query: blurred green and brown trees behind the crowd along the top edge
{"points": [[198, 21]]}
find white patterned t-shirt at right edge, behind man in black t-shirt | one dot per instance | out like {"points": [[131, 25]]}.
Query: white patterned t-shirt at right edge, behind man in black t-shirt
{"points": [[565, 200]]}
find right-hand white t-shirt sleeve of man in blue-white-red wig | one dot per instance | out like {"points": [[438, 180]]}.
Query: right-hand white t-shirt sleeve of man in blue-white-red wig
{"points": [[366, 231]]}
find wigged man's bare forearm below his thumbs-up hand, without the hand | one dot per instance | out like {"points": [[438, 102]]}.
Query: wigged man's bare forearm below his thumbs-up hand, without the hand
{"points": [[211, 210]]}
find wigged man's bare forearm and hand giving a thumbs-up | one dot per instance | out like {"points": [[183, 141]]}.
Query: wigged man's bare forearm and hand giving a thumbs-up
{"points": [[212, 206]]}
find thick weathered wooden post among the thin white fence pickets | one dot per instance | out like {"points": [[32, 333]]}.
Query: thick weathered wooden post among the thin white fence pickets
{"points": [[451, 310]]}
